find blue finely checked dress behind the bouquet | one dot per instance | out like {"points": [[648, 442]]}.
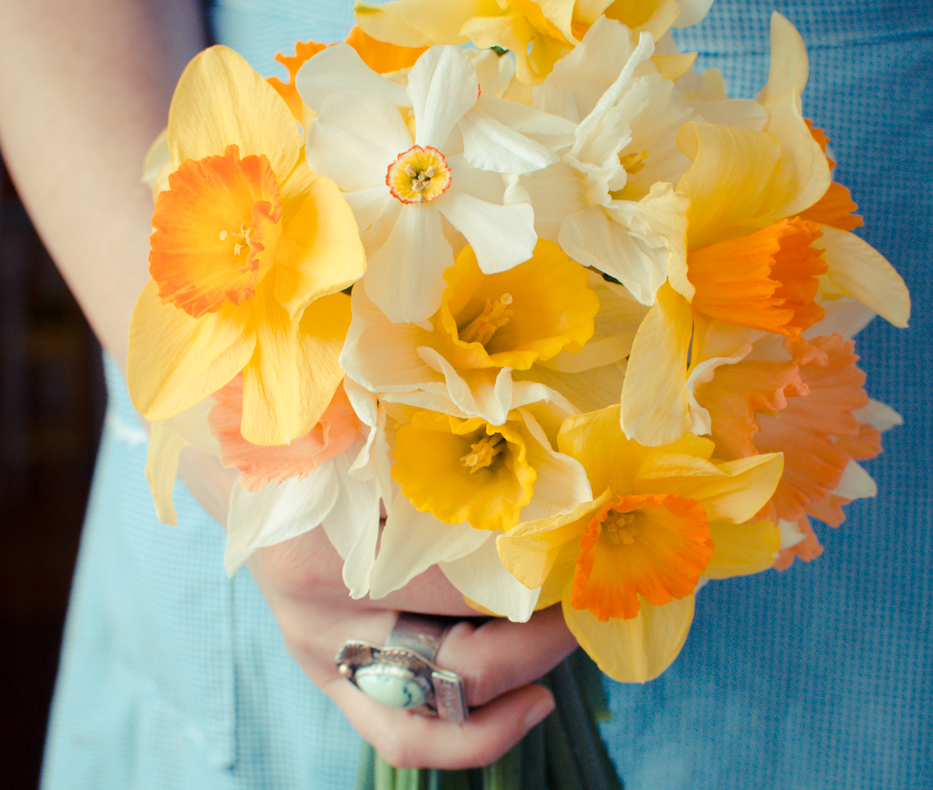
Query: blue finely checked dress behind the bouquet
{"points": [[819, 677]]}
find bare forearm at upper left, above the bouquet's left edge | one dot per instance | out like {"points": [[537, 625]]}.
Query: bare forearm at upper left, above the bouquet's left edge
{"points": [[84, 89]]}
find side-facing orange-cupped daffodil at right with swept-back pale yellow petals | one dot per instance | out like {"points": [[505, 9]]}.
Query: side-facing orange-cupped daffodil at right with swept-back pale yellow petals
{"points": [[753, 260]]}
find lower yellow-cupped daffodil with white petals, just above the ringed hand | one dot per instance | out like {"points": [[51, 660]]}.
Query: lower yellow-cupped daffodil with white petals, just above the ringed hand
{"points": [[457, 484]]}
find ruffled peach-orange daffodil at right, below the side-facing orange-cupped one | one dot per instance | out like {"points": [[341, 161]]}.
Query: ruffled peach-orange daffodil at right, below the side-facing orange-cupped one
{"points": [[804, 400]]}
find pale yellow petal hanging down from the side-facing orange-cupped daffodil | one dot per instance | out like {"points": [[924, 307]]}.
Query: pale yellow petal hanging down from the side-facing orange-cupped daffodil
{"points": [[655, 407]]}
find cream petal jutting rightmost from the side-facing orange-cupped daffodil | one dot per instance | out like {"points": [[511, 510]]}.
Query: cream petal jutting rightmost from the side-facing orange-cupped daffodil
{"points": [[862, 272]]}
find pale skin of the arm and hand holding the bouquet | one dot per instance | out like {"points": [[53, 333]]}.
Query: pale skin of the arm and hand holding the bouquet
{"points": [[84, 89]]}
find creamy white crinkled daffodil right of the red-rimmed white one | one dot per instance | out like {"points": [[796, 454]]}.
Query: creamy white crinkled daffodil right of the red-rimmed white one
{"points": [[610, 202]]}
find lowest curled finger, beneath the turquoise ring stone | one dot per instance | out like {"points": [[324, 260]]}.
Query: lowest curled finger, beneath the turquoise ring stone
{"points": [[408, 740]]}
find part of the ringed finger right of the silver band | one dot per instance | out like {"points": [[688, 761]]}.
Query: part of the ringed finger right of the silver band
{"points": [[499, 656]]}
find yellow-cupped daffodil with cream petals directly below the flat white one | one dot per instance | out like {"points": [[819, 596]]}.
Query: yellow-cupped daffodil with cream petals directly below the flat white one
{"points": [[484, 352]]}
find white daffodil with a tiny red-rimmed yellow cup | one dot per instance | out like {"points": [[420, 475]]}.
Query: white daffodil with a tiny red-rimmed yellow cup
{"points": [[406, 186]]}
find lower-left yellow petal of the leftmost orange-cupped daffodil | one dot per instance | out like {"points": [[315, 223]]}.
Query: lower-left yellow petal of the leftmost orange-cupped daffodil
{"points": [[175, 361]]}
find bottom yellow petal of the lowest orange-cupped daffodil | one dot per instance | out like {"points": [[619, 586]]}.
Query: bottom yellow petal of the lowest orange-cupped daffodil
{"points": [[636, 650]]}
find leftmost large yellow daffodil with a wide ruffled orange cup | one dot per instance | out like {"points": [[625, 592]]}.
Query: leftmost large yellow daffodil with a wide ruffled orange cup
{"points": [[249, 253]]}
